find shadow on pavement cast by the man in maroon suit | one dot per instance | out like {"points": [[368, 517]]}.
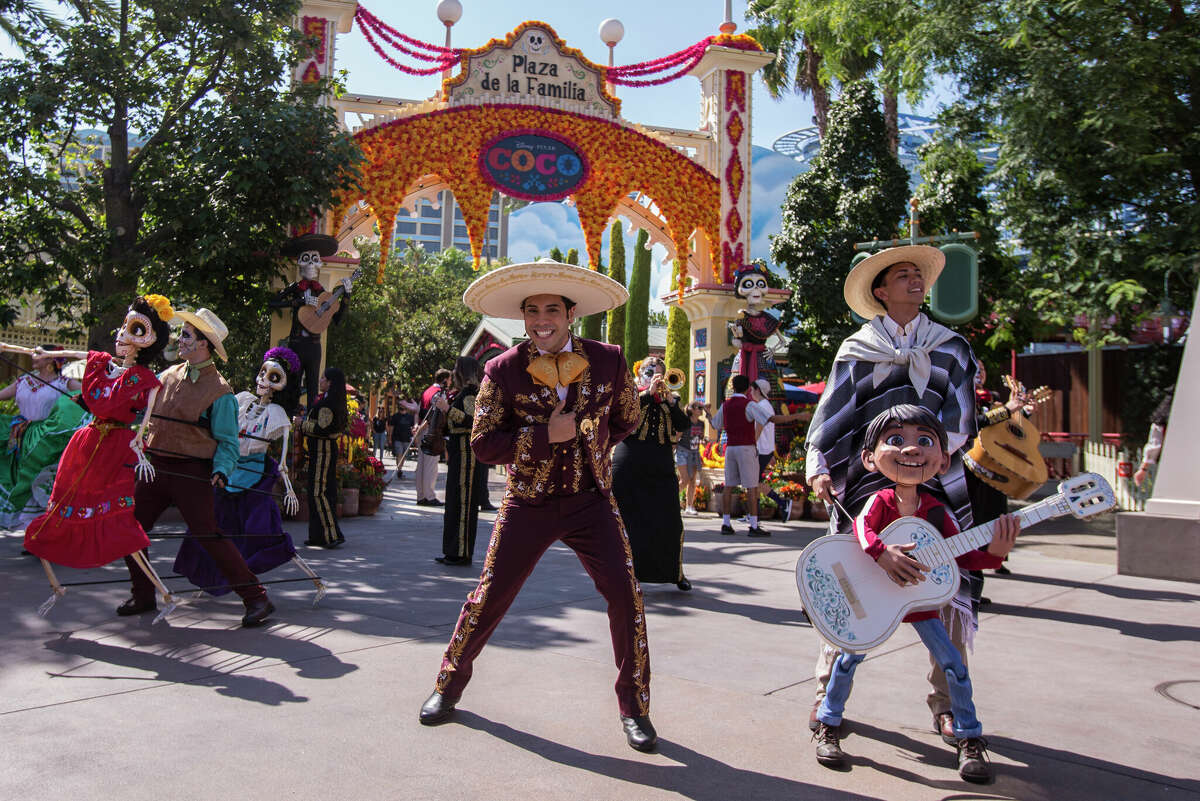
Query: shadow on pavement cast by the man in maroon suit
{"points": [[697, 776]]}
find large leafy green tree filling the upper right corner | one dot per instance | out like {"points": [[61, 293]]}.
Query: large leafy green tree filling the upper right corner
{"points": [[1094, 111]]}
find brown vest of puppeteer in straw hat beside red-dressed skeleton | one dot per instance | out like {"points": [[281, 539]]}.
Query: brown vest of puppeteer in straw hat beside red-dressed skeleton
{"points": [[185, 401]]}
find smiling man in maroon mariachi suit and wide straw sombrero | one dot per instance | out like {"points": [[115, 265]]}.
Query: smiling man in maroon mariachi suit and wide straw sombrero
{"points": [[551, 409]]}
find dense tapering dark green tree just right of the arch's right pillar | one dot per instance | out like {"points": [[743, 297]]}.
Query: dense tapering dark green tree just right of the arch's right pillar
{"points": [[856, 191]]}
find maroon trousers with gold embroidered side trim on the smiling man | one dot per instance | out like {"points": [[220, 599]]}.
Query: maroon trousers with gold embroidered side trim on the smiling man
{"points": [[589, 523]]}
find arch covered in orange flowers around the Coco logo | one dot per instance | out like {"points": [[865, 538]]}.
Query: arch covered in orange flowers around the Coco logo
{"points": [[448, 143]]}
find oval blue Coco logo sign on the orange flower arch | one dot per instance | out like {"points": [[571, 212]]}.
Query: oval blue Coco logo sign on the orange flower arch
{"points": [[532, 166]]}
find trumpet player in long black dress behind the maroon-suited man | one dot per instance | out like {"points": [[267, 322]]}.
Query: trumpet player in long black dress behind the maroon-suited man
{"points": [[644, 479]]}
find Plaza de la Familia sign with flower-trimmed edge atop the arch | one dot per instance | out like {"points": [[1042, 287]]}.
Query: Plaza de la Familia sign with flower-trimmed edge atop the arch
{"points": [[532, 67]]}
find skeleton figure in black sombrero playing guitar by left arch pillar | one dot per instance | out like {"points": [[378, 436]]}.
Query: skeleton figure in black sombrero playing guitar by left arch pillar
{"points": [[314, 309]]}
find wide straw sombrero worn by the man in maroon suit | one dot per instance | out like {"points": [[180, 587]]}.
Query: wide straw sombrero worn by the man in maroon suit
{"points": [[501, 292]]}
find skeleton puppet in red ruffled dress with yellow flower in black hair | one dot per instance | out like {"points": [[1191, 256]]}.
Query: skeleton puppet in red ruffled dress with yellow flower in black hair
{"points": [[89, 521]]}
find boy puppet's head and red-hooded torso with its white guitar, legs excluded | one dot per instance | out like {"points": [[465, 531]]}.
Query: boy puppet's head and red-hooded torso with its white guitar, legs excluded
{"points": [[857, 589]]}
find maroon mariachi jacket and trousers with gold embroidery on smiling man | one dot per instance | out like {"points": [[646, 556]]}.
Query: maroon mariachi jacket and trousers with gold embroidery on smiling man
{"points": [[559, 491]]}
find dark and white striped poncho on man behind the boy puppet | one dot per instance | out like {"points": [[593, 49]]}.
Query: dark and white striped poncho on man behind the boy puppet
{"points": [[874, 374]]}
